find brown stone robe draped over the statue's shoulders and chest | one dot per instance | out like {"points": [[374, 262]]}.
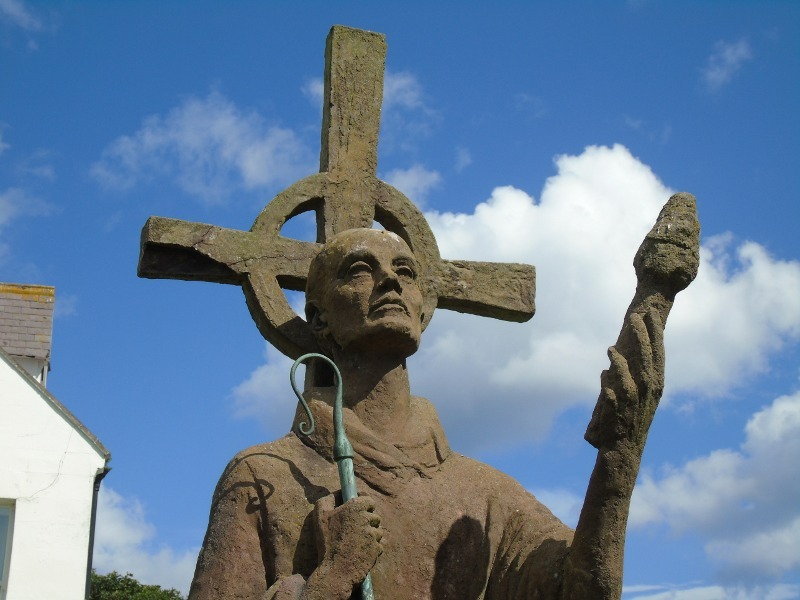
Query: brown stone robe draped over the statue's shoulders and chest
{"points": [[454, 528]]}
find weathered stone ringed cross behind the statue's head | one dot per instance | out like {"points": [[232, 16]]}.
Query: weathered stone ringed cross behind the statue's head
{"points": [[345, 194]]}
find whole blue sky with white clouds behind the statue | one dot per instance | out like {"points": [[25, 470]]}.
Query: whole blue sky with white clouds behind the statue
{"points": [[548, 134]]}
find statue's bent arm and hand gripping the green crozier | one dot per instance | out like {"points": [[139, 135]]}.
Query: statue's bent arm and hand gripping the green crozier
{"points": [[241, 558]]}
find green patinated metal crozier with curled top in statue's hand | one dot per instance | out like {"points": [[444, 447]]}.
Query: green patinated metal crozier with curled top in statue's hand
{"points": [[342, 449]]}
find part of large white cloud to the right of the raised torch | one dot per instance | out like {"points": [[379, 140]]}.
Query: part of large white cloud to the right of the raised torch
{"points": [[743, 308]]}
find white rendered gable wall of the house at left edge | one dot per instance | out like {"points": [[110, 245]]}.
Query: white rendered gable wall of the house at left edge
{"points": [[47, 466]]}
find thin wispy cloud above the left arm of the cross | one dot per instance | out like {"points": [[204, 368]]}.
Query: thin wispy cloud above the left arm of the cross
{"points": [[209, 148]]}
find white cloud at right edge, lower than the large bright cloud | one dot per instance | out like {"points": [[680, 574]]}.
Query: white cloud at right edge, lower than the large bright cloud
{"points": [[745, 501]]}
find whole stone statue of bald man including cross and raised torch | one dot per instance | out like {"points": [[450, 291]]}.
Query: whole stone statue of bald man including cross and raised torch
{"points": [[429, 523]]}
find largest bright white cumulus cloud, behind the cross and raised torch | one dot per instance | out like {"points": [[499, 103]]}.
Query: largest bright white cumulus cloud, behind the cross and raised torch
{"points": [[498, 383]]}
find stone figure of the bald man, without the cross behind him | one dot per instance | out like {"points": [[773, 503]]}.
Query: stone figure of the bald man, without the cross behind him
{"points": [[429, 523]]}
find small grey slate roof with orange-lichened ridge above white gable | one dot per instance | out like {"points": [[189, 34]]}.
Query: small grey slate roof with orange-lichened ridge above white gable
{"points": [[26, 319]]}
